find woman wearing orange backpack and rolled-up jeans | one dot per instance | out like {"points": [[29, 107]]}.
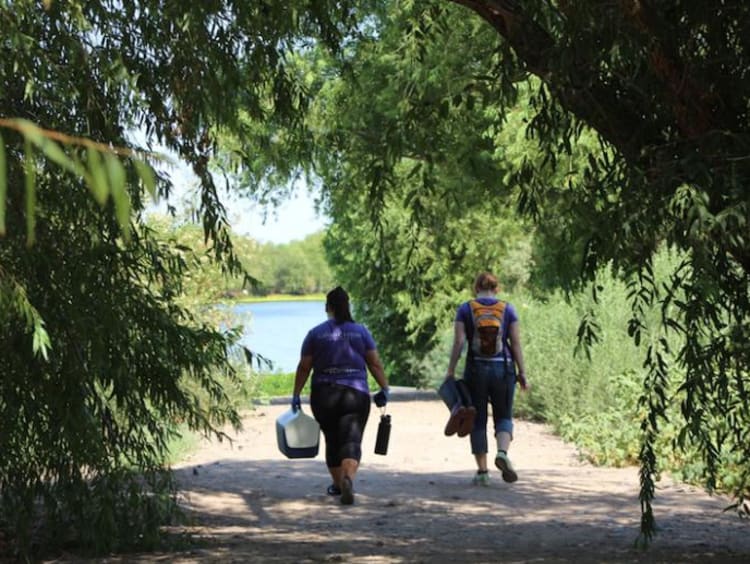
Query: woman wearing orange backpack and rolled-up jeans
{"points": [[494, 363]]}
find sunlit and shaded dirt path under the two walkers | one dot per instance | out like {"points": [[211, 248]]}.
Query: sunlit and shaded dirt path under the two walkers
{"points": [[417, 504]]}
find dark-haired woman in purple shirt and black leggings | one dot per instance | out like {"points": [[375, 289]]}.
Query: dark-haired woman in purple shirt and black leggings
{"points": [[339, 352]]}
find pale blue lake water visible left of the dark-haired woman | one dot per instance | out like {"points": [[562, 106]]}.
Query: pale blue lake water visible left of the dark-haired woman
{"points": [[276, 330]]}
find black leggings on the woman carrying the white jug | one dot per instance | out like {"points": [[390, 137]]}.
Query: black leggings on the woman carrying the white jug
{"points": [[342, 413]]}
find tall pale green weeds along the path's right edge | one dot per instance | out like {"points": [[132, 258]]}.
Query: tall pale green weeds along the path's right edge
{"points": [[592, 400]]}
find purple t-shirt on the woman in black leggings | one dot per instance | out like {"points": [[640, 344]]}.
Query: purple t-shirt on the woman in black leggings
{"points": [[338, 352]]}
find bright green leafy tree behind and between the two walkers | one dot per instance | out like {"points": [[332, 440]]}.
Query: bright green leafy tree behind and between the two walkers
{"points": [[406, 244]]}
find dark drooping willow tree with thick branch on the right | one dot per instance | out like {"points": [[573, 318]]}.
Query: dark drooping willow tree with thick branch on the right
{"points": [[664, 86]]}
